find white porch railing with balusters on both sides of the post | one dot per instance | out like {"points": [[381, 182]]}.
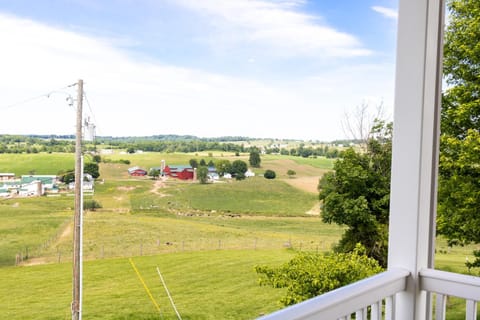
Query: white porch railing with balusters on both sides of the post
{"points": [[374, 298]]}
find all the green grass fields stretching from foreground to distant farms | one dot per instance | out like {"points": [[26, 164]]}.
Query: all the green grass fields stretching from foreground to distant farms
{"points": [[206, 240]]}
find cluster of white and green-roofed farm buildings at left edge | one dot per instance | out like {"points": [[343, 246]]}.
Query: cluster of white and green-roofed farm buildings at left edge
{"points": [[36, 185]]}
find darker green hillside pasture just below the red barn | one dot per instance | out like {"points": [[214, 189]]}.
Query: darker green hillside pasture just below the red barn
{"points": [[253, 196]]}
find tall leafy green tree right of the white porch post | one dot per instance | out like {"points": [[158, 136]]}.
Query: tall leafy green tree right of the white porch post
{"points": [[459, 172]]}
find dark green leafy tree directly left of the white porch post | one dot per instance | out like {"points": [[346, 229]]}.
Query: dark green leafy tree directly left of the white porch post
{"points": [[356, 194]]}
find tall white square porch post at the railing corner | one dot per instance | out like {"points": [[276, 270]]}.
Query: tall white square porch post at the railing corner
{"points": [[415, 148]]}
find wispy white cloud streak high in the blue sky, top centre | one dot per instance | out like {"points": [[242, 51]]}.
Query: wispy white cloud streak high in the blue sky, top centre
{"points": [[274, 25]]}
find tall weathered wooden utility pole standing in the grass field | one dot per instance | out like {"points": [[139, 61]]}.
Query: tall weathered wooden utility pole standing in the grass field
{"points": [[77, 220]]}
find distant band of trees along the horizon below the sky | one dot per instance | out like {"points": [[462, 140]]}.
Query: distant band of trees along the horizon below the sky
{"points": [[157, 143]]}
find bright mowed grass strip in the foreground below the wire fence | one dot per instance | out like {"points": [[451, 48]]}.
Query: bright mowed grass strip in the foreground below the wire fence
{"points": [[204, 285]]}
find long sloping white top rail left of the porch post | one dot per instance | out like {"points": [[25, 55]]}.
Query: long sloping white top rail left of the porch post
{"points": [[346, 300]]}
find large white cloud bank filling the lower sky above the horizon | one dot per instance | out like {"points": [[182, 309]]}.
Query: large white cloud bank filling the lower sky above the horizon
{"points": [[132, 97]]}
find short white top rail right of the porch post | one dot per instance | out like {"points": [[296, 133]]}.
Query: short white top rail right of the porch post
{"points": [[451, 284]]}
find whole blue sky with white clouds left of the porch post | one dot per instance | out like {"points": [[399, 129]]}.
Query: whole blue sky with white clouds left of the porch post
{"points": [[258, 68]]}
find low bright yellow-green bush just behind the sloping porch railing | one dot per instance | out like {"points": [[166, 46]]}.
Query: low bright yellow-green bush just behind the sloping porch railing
{"points": [[310, 274]]}
